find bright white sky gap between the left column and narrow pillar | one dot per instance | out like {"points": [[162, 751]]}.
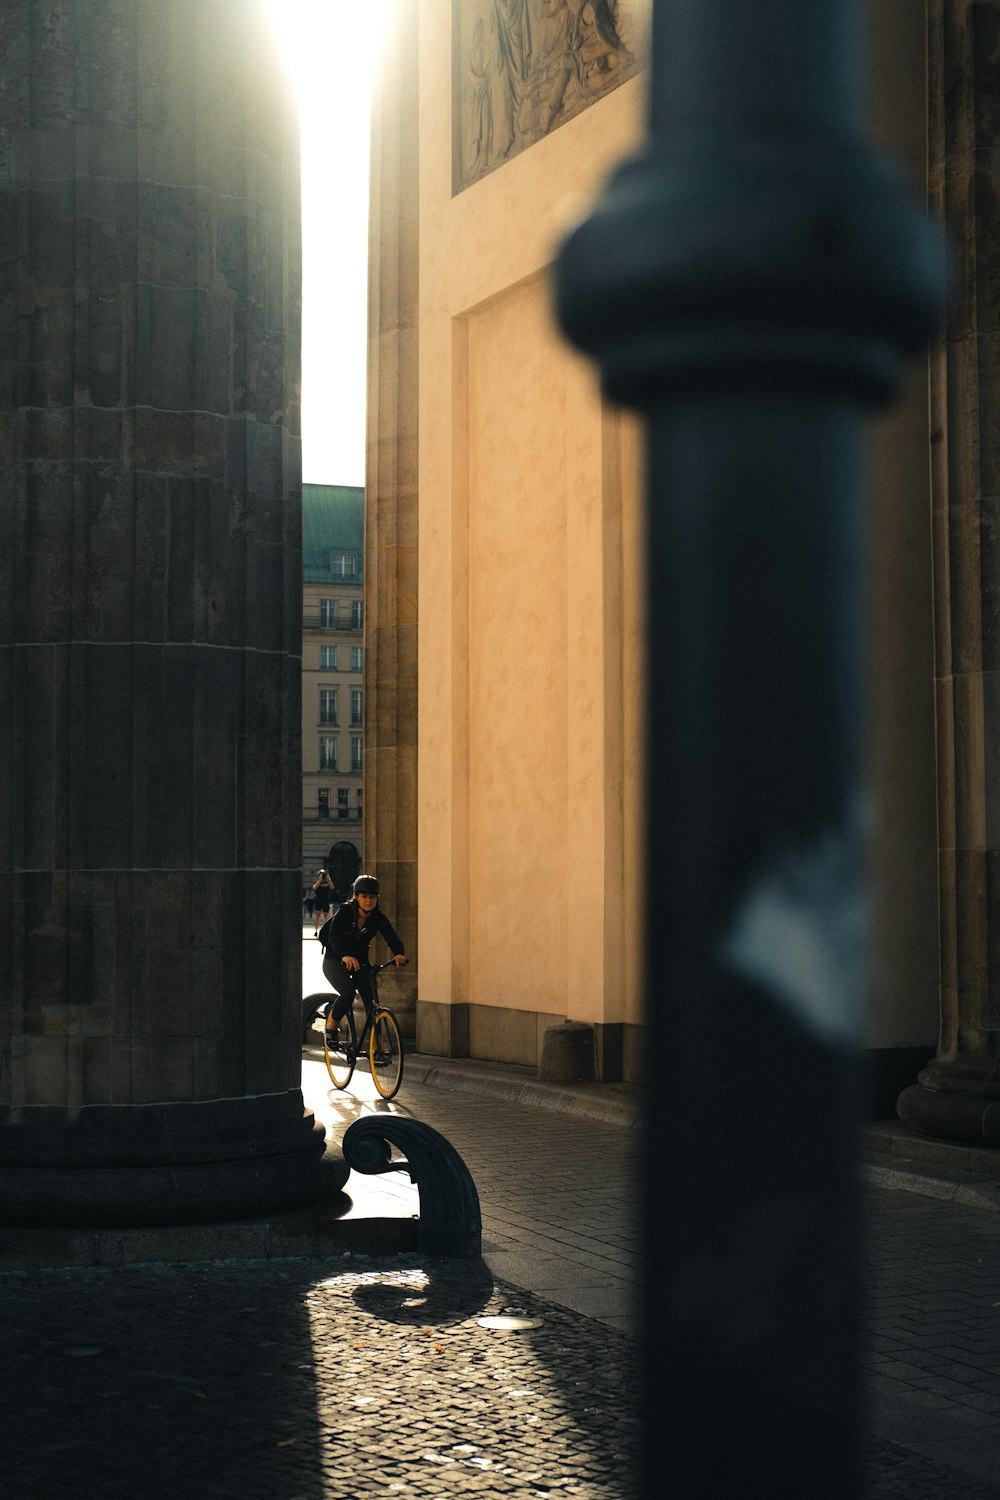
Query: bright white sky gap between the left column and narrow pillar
{"points": [[335, 91]]}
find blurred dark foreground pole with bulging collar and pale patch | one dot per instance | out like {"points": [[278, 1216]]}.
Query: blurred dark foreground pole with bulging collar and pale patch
{"points": [[752, 283]]}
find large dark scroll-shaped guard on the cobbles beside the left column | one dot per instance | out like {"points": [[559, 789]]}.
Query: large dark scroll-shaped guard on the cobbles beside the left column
{"points": [[451, 1222]]}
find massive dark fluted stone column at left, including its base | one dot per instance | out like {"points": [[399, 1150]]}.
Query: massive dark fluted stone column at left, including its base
{"points": [[151, 619]]}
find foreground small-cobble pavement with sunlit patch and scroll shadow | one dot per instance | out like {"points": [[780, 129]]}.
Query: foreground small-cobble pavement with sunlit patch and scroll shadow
{"points": [[281, 1379]]}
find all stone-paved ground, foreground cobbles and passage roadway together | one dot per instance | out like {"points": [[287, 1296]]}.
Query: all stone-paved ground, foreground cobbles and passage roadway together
{"points": [[350, 1378]]}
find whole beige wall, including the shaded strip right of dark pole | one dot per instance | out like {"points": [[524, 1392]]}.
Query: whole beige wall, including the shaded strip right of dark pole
{"points": [[530, 793]]}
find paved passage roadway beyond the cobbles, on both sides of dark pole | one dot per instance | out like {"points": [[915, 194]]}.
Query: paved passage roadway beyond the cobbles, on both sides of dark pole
{"points": [[933, 1357]]}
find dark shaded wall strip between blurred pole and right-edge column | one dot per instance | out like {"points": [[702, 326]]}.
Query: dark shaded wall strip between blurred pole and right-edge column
{"points": [[899, 662]]}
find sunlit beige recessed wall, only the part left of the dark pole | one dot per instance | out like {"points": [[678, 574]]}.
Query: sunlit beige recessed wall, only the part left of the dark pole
{"points": [[530, 614]]}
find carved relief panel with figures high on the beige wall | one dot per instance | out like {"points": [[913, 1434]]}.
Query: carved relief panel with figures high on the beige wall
{"points": [[525, 67]]}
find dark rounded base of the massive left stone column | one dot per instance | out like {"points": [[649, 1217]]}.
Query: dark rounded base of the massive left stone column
{"points": [[130, 1166]]}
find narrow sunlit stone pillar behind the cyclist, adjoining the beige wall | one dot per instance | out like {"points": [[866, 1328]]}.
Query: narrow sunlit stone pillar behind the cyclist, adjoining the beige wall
{"points": [[391, 502]]}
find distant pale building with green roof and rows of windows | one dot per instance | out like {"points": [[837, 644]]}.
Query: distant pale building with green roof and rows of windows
{"points": [[334, 680]]}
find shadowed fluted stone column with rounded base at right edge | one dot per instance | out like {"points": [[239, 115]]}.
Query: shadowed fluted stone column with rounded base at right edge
{"points": [[959, 1094]]}
